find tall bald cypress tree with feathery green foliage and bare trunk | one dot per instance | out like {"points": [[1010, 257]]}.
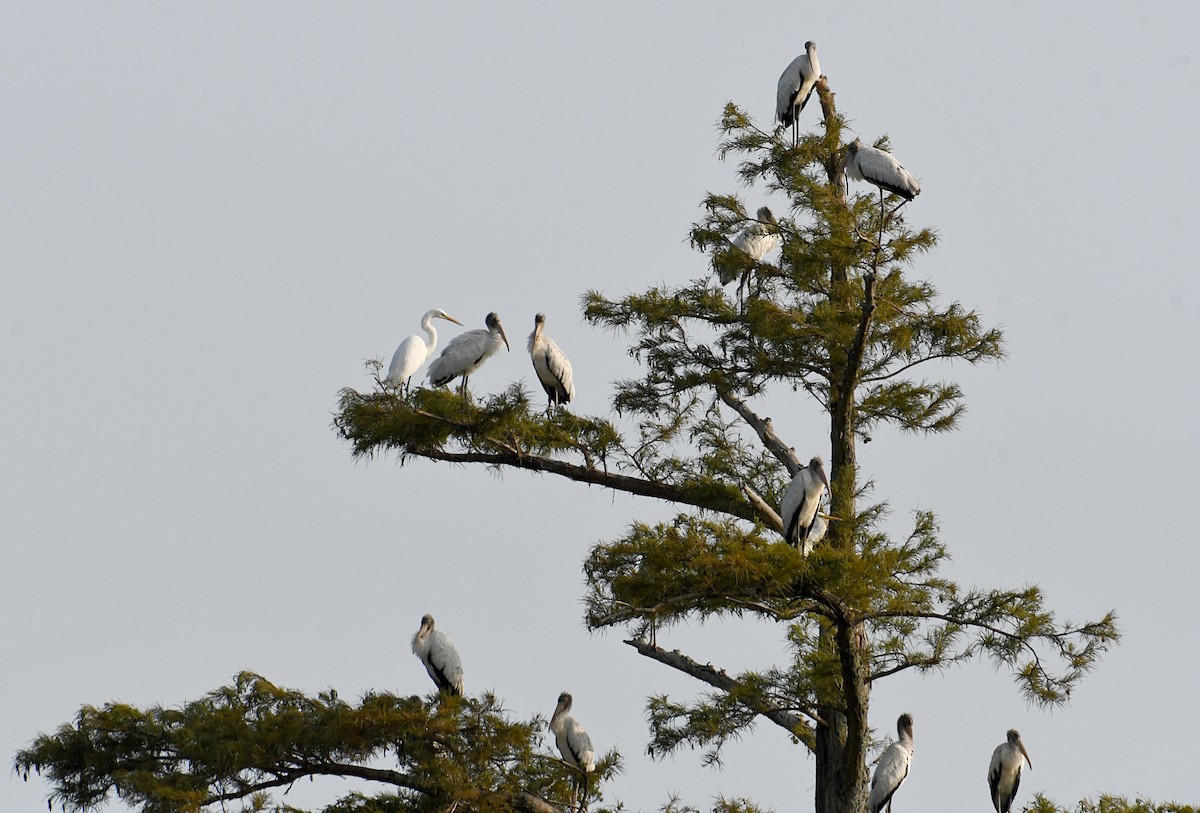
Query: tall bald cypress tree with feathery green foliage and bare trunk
{"points": [[839, 322]]}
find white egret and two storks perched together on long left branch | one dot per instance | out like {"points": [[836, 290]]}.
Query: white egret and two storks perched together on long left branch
{"points": [[467, 353]]}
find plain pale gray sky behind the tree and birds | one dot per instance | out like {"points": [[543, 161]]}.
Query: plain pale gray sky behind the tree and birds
{"points": [[213, 214]]}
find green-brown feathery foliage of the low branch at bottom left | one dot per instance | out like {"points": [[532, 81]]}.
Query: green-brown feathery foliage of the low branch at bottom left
{"points": [[243, 740]]}
